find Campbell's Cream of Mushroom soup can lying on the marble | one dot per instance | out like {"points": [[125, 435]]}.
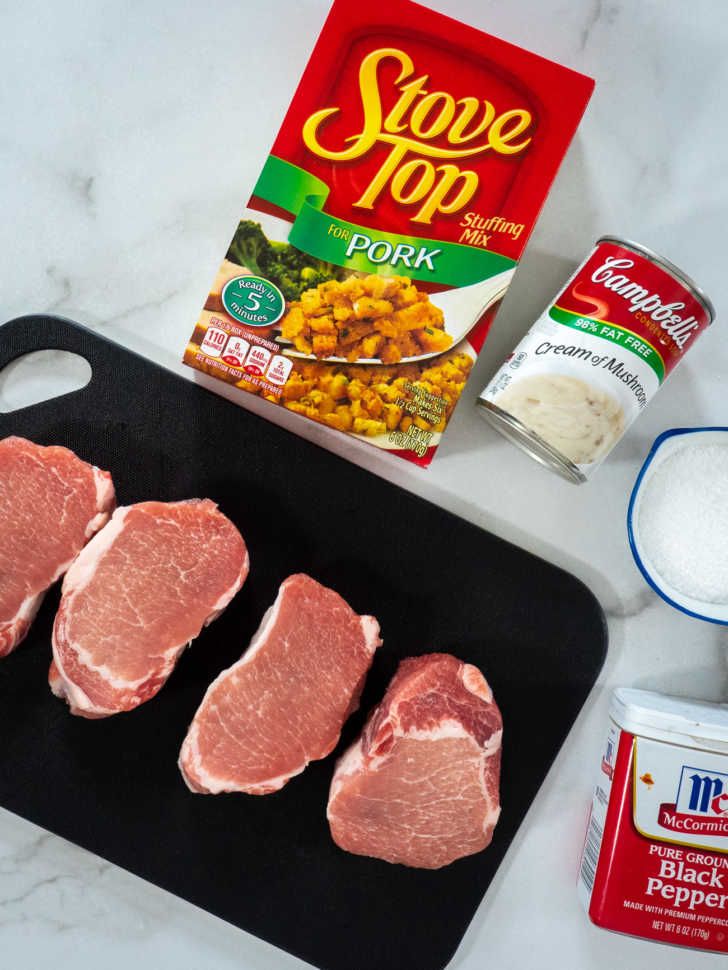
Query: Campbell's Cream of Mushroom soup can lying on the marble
{"points": [[596, 356]]}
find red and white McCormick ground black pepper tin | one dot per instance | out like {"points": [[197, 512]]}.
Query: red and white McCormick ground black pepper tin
{"points": [[655, 859]]}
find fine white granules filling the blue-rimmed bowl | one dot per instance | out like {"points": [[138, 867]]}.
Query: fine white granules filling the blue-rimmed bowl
{"points": [[683, 521]]}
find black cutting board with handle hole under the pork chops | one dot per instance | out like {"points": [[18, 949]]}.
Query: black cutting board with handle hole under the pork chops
{"points": [[435, 582]]}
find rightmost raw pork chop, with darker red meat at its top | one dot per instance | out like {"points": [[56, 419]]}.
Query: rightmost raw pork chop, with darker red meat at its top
{"points": [[420, 786]]}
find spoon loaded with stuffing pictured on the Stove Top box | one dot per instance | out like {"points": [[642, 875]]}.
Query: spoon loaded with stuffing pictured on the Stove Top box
{"points": [[380, 334]]}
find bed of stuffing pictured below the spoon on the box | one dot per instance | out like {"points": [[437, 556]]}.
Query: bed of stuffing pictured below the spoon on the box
{"points": [[371, 401]]}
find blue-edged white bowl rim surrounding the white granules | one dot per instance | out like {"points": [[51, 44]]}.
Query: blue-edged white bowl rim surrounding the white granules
{"points": [[666, 445]]}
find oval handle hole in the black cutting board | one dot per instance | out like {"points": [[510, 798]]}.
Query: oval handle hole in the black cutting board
{"points": [[41, 376]]}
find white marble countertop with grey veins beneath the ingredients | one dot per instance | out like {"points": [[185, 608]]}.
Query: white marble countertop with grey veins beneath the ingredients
{"points": [[131, 135]]}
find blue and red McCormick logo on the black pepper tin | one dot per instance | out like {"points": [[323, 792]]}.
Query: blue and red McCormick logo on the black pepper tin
{"points": [[701, 805]]}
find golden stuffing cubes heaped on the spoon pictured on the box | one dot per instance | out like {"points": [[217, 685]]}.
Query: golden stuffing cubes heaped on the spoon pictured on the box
{"points": [[365, 318]]}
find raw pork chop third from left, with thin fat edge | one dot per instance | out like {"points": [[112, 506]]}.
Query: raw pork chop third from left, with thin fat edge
{"points": [[285, 701]]}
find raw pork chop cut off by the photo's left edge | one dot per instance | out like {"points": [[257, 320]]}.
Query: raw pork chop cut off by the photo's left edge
{"points": [[51, 503]]}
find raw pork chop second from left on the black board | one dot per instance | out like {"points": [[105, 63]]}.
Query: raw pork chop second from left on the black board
{"points": [[135, 598]]}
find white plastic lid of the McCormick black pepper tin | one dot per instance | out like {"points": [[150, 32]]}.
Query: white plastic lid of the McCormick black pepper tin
{"points": [[691, 724]]}
